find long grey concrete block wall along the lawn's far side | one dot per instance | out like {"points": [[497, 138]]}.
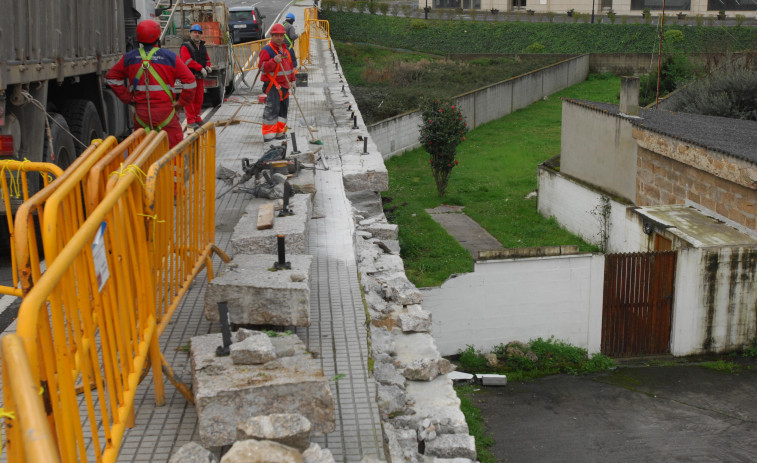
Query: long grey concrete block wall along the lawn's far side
{"points": [[400, 133]]}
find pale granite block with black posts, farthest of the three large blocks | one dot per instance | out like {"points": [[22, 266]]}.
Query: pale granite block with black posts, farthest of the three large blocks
{"points": [[247, 239]]}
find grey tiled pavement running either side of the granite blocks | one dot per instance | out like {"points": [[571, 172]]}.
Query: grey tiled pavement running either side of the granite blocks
{"points": [[337, 333]]}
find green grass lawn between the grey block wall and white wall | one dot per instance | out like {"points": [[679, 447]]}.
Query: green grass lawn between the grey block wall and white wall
{"points": [[497, 170]]}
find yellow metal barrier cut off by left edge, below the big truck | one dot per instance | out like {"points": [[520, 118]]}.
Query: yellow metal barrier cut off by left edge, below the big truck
{"points": [[15, 173]]}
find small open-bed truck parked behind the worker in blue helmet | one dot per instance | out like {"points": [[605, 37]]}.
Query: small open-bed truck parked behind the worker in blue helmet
{"points": [[214, 19]]}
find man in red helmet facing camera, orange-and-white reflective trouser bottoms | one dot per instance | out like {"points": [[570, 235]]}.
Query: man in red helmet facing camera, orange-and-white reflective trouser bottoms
{"points": [[278, 77]]}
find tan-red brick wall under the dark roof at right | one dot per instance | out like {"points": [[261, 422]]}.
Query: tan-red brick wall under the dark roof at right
{"points": [[661, 180]]}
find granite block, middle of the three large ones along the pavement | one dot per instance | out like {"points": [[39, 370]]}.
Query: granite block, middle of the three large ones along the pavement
{"points": [[258, 295]]}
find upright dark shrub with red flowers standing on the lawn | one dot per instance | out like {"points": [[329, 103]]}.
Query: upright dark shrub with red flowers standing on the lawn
{"points": [[443, 128]]}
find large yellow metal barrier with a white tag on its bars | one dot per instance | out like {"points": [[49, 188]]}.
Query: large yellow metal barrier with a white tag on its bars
{"points": [[97, 289]]}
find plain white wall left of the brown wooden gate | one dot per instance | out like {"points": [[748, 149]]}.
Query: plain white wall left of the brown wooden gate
{"points": [[506, 300]]}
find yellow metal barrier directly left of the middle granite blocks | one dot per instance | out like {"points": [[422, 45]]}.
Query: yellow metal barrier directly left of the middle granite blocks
{"points": [[181, 237]]}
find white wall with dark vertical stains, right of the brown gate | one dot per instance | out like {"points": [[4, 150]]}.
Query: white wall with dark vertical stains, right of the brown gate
{"points": [[714, 300]]}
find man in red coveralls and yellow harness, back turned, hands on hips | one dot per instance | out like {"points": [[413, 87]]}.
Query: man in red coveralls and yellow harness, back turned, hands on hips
{"points": [[150, 71]]}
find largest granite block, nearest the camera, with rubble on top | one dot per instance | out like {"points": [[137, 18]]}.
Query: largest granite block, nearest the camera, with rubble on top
{"points": [[229, 394]]}
